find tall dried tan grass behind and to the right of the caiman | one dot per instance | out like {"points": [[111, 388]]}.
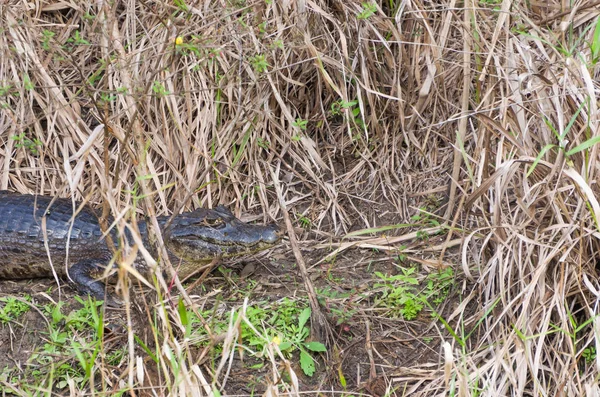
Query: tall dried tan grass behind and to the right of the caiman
{"points": [[358, 110]]}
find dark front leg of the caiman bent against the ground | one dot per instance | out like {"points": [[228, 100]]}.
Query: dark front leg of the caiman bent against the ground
{"points": [[82, 275]]}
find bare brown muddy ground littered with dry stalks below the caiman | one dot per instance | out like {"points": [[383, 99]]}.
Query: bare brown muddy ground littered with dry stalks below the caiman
{"points": [[373, 350]]}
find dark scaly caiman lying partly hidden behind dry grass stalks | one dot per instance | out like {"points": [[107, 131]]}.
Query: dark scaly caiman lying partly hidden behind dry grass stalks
{"points": [[29, 224]]}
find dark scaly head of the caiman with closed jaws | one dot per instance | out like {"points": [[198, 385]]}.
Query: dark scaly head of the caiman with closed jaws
{"points": [[200, 236]]}
